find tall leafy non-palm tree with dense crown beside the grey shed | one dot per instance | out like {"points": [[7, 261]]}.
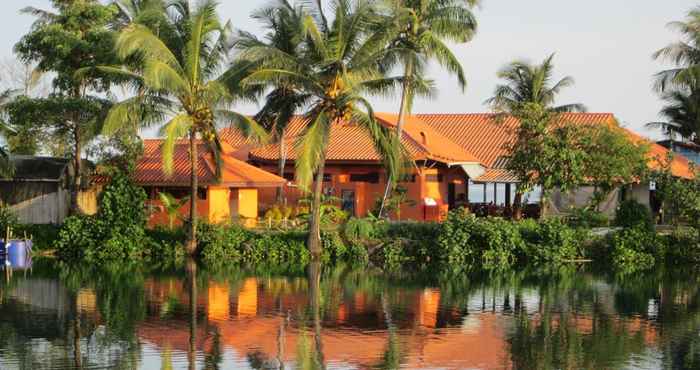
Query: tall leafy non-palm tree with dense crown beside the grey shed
{"points": [[76, 36]]}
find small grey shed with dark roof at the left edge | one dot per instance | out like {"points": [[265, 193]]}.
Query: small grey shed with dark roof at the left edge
{"points": [[38, 191]]}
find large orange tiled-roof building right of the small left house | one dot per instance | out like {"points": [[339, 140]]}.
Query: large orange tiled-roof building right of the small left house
{"points": [[459, 159]]}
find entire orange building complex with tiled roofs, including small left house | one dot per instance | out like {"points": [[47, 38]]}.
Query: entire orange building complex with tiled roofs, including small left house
{"points": [[458, 159]]}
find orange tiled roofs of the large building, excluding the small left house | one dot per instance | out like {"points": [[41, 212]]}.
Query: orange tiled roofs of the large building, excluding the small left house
{"points": [[450, 138]]}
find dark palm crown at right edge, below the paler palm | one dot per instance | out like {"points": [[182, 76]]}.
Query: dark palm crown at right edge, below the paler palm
{"points": [[681, 114]]}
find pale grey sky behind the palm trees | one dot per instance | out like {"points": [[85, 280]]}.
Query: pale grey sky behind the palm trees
{"points": [[605, 45]]}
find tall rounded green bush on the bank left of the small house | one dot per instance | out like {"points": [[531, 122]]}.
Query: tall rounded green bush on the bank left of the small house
{"points": [[115, 233]]}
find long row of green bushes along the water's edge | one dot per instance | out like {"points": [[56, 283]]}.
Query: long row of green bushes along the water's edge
{"points": [[462, 243]]}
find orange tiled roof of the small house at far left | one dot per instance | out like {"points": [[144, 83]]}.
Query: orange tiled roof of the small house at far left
{"points": [[234, 173]]}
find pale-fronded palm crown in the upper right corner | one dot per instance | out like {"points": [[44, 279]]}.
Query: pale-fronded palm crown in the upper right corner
{"points": [[685, 54]]}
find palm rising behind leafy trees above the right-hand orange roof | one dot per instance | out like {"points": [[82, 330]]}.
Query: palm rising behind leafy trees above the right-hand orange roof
{"points": [[529, 85]]}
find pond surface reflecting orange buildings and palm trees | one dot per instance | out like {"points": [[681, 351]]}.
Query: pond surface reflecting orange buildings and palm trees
{"points": [[329, 318]]}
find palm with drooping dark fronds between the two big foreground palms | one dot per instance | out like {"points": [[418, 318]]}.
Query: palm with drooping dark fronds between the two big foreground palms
{"points": [[284, 25]]}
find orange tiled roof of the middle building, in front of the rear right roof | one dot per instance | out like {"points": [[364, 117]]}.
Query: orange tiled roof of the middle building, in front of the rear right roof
{"points": [[349, 142]]}
